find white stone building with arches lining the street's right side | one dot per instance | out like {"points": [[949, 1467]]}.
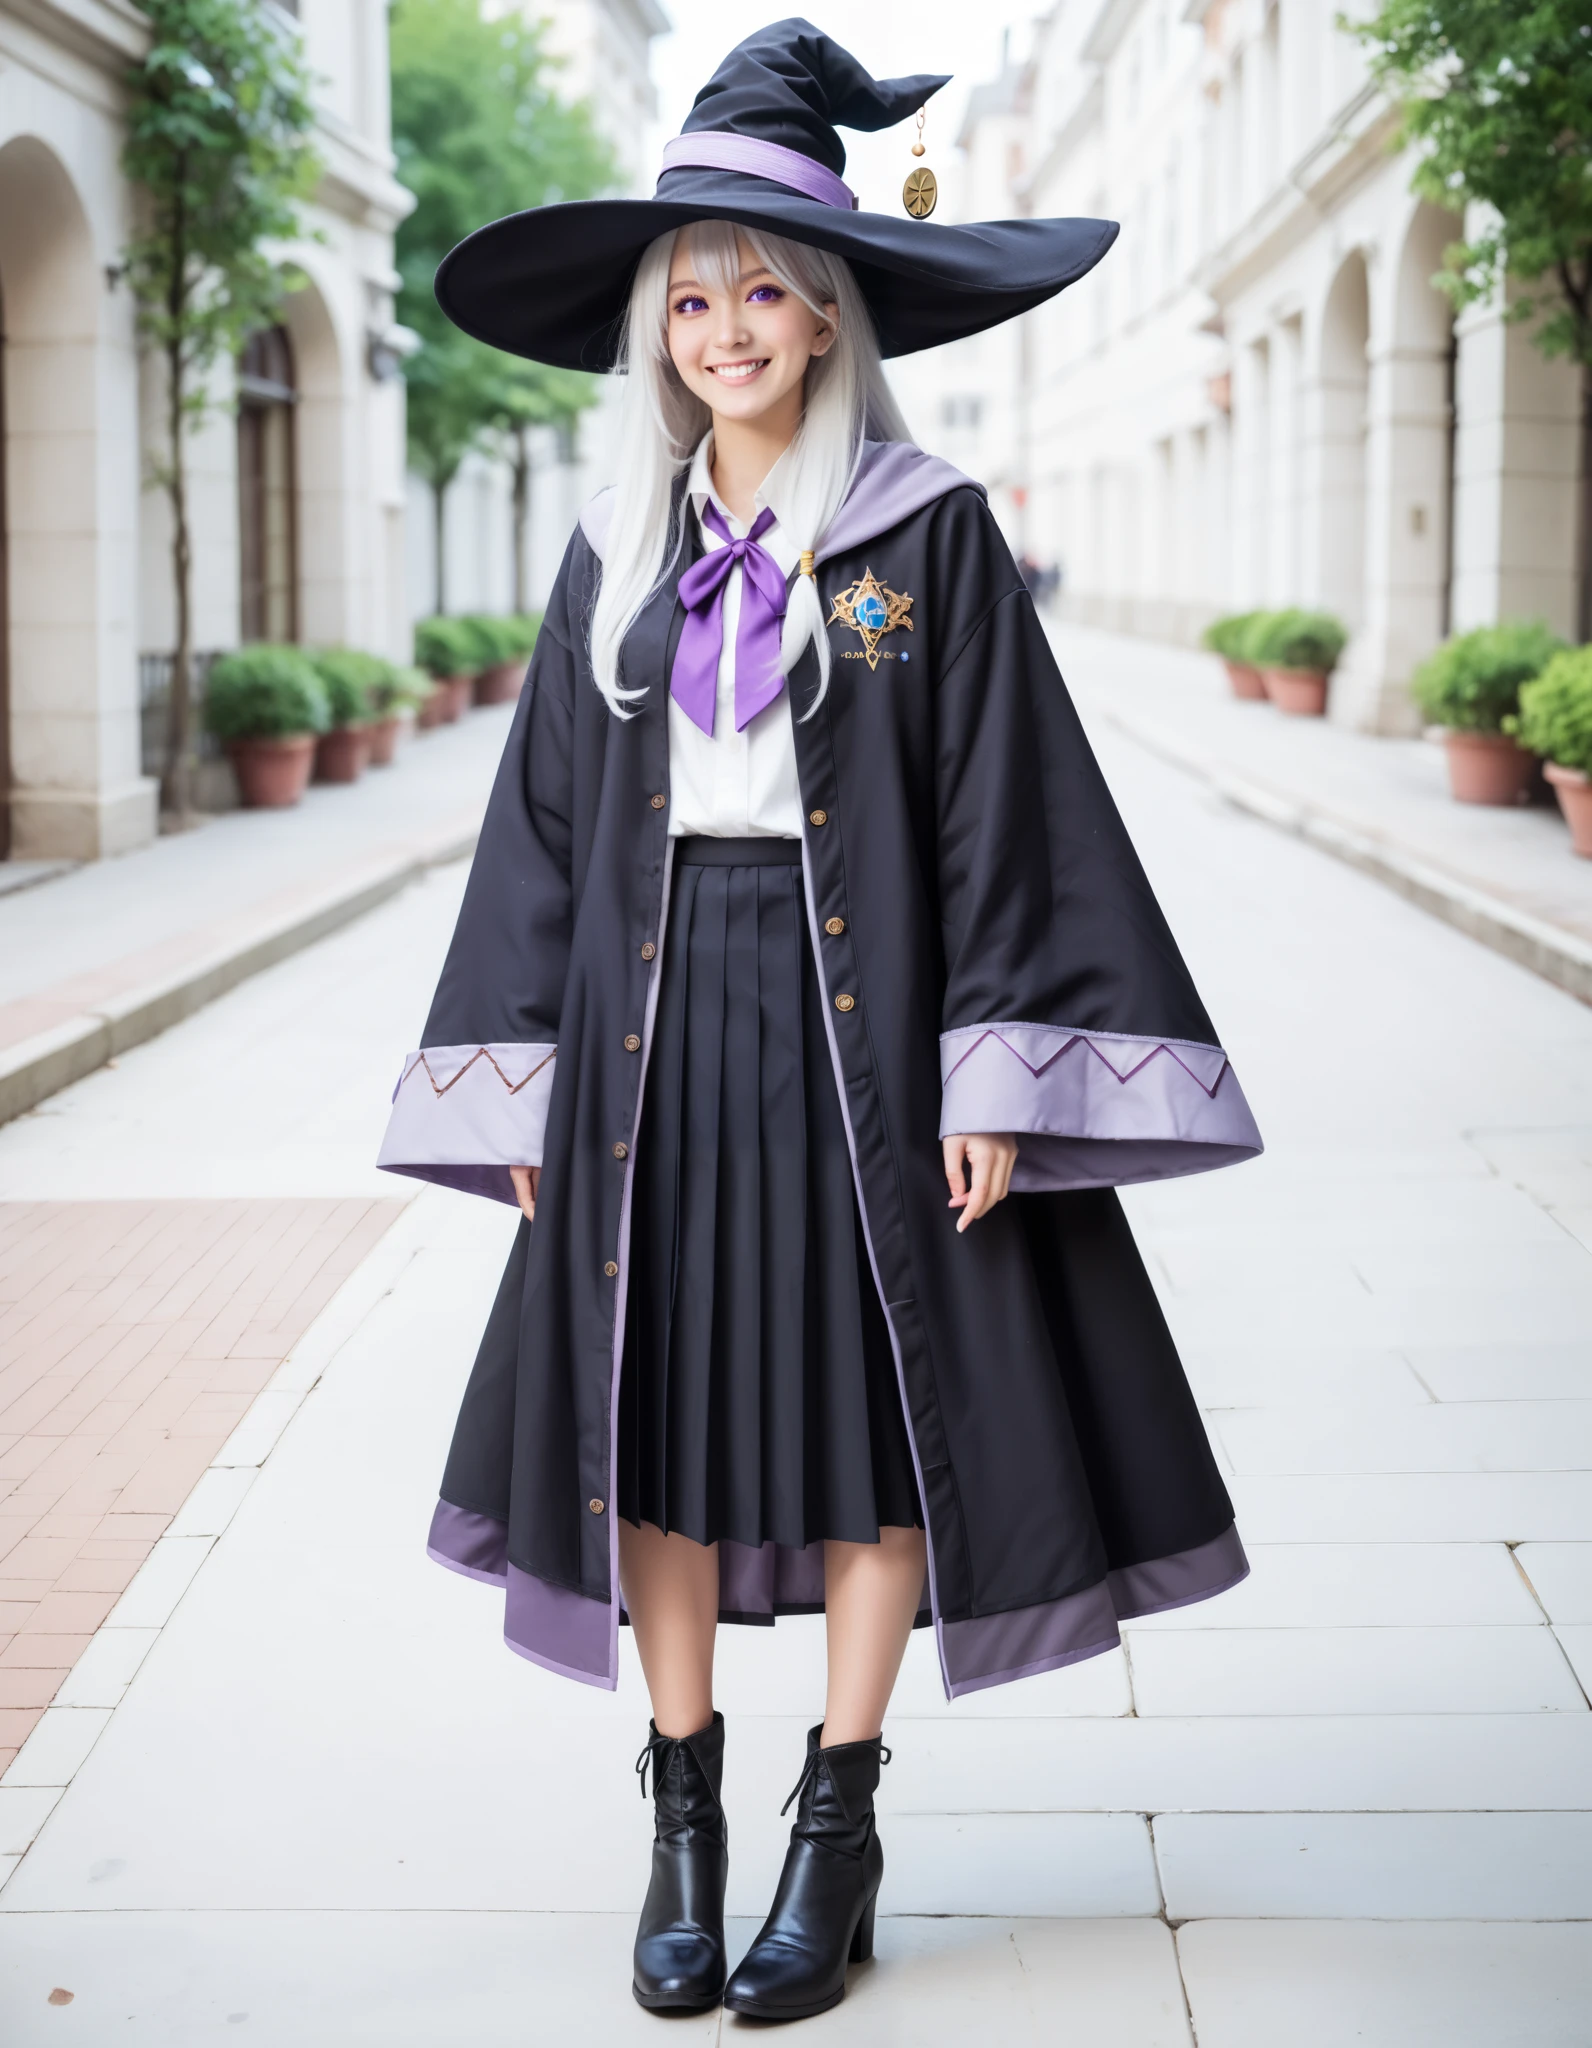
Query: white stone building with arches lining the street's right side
{"points": [[1261, 398]]}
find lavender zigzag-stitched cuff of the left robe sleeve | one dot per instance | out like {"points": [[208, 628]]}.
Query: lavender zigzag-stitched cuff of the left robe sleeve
{"points": [[466, 1113]]}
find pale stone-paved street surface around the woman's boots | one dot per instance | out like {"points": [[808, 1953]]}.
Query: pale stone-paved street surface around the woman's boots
{"points": [[1349, 1803]]}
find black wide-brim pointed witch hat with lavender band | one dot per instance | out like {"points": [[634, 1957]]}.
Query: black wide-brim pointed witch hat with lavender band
{"points": [[761, 151]]}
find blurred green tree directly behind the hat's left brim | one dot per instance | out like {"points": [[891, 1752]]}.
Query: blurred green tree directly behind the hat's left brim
{"points": [[478, 132]]}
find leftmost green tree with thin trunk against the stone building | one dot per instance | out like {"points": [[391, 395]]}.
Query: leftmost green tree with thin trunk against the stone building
{"points": [[218, 142]]}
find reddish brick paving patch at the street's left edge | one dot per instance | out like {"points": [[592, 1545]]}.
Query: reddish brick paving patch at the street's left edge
{"points": [[132, 1340]]}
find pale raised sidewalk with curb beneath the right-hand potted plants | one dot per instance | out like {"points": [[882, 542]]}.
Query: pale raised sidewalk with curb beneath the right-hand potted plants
{"points": [[1503, 876]]}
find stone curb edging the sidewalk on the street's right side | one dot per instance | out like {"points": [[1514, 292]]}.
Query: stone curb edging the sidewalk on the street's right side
{"points": [[1550, 951]]}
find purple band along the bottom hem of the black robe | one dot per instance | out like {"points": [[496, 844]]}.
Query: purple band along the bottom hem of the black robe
{"points": [[575, 1635]]}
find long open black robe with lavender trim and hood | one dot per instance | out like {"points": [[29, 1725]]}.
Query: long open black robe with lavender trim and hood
{"points": [[993, 959]]}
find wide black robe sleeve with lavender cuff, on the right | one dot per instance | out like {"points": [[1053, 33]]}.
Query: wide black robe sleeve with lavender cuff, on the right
{"points": [[1069, 1017]]}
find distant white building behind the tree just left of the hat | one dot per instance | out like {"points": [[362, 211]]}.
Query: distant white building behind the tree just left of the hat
{"points": [[605, 48]]}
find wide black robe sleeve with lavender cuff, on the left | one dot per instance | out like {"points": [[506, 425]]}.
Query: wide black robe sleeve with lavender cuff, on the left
{"points": [[472, 1097]]}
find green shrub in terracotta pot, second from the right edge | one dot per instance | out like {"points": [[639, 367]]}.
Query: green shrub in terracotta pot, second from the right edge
{"points": [[1470, 687]]}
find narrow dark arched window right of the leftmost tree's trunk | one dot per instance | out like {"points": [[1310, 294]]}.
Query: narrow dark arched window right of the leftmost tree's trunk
{"points": [[267, 538]]}
